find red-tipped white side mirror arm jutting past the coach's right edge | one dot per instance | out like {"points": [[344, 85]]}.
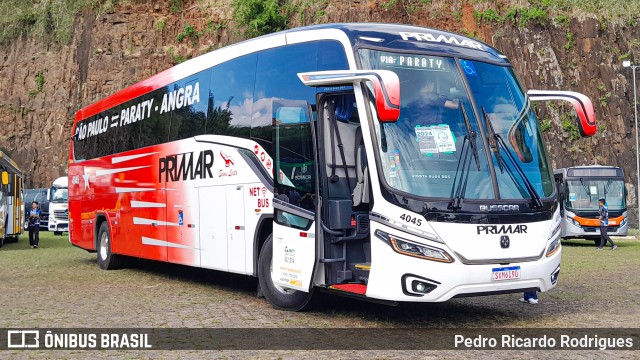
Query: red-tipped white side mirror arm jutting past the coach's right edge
{"points": [[581, 103]]}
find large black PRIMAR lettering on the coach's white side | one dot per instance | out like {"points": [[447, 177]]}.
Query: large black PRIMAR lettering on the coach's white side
{"points": [[181, 167]]}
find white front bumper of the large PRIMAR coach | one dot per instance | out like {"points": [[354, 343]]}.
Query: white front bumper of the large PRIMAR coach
{"points": [[393, 275]]}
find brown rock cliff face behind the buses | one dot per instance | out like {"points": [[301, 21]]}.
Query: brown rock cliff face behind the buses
{"points": [[43, 84]]}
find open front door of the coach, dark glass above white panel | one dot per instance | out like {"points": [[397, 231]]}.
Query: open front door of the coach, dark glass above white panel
{"points": [[295, 251]]}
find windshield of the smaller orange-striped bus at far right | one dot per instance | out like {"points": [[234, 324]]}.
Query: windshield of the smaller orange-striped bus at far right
{"points": [[584, 194]]}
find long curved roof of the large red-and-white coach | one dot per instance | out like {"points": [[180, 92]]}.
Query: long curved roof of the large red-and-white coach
{"points": [[404, 38]]}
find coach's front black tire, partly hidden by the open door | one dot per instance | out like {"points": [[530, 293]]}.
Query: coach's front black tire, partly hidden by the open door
{"points": [[279, 298]]}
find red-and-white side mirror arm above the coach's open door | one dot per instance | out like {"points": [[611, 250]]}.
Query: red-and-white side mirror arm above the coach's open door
{"points": [[386, 87]]}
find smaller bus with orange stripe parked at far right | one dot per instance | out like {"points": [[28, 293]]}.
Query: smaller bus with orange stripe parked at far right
{"points": [[579, 189]]}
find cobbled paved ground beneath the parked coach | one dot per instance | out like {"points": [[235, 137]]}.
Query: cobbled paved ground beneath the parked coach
{"points": [[60, 286]]}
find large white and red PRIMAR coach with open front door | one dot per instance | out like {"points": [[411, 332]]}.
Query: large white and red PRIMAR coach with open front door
{"points": [[385, 162]]}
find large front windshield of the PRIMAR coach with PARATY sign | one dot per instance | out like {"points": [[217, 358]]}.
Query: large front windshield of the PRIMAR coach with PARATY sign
{"points": [[424, 152]]}
